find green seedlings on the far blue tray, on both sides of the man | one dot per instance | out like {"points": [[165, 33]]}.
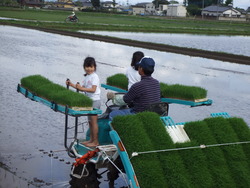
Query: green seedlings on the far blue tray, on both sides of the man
{"points": [[176, 91]]}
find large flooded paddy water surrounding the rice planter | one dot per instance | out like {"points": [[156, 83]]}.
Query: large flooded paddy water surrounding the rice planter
{"points": [[29, 131]]}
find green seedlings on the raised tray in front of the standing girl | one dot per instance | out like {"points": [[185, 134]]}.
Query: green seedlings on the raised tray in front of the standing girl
{"points": [[44, 88]]}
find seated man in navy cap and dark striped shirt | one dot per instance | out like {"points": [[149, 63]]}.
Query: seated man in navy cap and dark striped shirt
{"points": [[142, 93]]}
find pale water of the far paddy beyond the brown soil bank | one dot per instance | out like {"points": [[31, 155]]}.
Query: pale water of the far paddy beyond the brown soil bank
{"points": [[220, 43]]}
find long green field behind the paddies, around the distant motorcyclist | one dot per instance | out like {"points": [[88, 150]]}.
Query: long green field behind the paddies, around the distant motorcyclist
{"points": [[119, 22]]}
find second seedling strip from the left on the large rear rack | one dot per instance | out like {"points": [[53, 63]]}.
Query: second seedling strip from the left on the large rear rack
{"points": [[173, 167]]}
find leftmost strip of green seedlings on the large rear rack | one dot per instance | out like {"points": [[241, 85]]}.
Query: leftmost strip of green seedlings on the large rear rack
{"points": [[147, 168]]}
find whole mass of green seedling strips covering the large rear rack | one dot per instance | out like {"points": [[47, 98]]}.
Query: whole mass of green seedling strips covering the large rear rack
{"points": [[224, 166]]}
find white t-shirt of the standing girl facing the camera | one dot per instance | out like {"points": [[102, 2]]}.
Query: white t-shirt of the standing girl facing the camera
{"points": [[89, 81]]}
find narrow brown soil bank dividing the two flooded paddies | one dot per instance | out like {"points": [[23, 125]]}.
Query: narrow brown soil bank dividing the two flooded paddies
{"points": [[240, 59]]}
